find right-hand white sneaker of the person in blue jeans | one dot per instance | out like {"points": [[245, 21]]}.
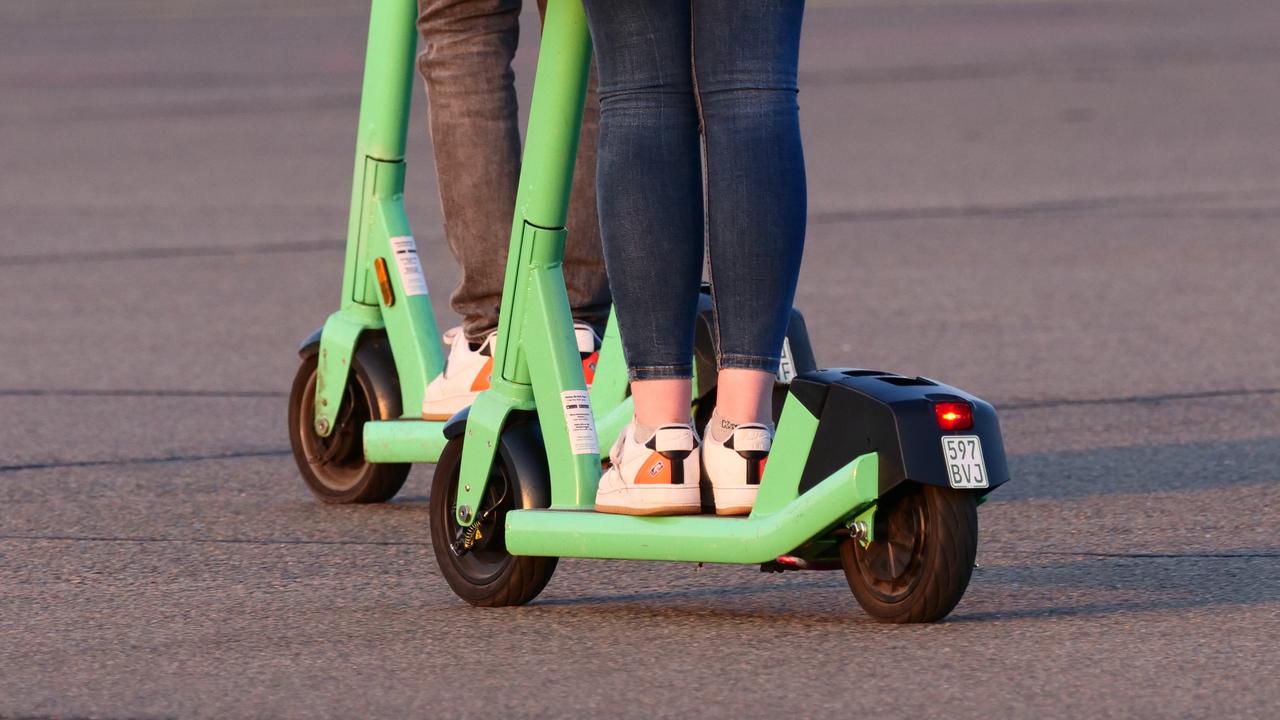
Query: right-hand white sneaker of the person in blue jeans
{"points": [[735, 467]]}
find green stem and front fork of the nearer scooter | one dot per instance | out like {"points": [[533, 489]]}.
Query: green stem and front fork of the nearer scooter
{"points": [[536, 356]]}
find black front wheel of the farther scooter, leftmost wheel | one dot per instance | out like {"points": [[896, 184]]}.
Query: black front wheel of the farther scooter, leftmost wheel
{"points": [[335, 467]]}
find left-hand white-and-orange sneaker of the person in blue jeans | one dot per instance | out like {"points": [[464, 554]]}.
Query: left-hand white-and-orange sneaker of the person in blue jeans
{"points": [[656, 479]]}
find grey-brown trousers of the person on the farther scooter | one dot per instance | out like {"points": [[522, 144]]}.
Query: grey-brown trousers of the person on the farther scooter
{"points": [[476, 134]]}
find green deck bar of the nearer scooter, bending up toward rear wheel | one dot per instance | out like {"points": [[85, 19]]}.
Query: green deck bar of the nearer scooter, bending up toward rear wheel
{"points": [[698, 539]]}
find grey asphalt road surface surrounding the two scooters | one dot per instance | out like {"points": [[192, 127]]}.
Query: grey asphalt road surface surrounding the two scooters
{"points": [[1068, 207]]}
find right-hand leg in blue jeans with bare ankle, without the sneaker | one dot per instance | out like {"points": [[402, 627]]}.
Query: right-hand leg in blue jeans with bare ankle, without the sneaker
{"points": [[746, 61]]}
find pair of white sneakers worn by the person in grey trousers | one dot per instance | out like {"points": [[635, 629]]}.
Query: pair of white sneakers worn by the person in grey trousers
{"points": [[468, 371]]}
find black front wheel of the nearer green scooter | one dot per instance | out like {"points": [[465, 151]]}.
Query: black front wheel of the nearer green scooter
{"points": [[486, 575]]}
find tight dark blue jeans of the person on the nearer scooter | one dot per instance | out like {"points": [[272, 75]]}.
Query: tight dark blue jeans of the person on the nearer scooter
{"points": [[685, 88]]}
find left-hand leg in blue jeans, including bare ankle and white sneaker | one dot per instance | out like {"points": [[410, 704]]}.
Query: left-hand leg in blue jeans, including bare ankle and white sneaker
{"points": [[652, 222]]}
